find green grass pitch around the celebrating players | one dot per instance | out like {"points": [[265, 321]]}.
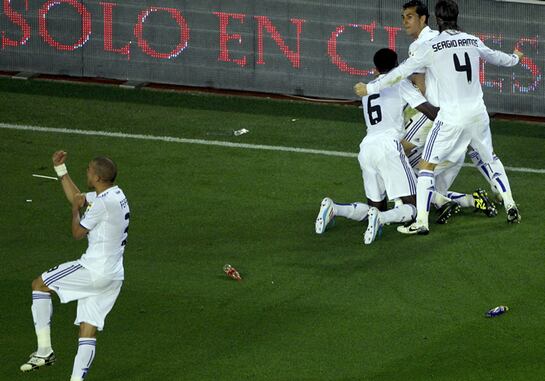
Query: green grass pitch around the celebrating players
{"points": [[310, 307]]}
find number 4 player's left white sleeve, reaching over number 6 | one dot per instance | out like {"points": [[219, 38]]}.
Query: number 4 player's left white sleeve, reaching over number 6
{"points": [[421, 59]]}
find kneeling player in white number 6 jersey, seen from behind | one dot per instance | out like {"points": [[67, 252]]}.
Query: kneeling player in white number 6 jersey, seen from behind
{"points": [[385, 169]]}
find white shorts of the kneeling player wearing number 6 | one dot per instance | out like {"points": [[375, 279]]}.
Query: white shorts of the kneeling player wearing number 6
{"points": [[385, 169]]}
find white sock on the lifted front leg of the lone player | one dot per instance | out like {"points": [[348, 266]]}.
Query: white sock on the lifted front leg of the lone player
{"points": [[42, 309]]}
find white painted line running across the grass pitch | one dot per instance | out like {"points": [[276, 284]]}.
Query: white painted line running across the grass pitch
{"points": [[173, 139]]}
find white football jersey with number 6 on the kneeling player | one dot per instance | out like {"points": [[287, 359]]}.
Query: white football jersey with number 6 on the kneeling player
{"points": [[383, 112]]}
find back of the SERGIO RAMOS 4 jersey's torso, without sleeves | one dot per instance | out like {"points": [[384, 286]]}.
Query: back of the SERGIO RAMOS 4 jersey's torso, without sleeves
{"points": [[455, 67]]}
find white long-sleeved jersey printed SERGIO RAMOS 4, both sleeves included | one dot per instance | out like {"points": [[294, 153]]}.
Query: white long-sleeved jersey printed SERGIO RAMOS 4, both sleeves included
{"points": [[453, 60]]}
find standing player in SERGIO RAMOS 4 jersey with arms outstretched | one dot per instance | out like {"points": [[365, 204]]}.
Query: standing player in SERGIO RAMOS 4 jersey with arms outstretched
{"points": [[452, 58]]}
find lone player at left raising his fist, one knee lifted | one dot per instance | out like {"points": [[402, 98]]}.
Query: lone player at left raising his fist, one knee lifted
{"points": [[95, 279]]}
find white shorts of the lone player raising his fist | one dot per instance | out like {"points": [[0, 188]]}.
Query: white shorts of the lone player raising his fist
{"points": [[95, 296]]}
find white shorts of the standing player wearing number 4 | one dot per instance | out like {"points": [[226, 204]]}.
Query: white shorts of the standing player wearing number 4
{"points": [[449, 142]]}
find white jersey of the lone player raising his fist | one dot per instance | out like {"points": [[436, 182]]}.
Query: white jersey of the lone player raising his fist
{"points": [[107, 219]]}
